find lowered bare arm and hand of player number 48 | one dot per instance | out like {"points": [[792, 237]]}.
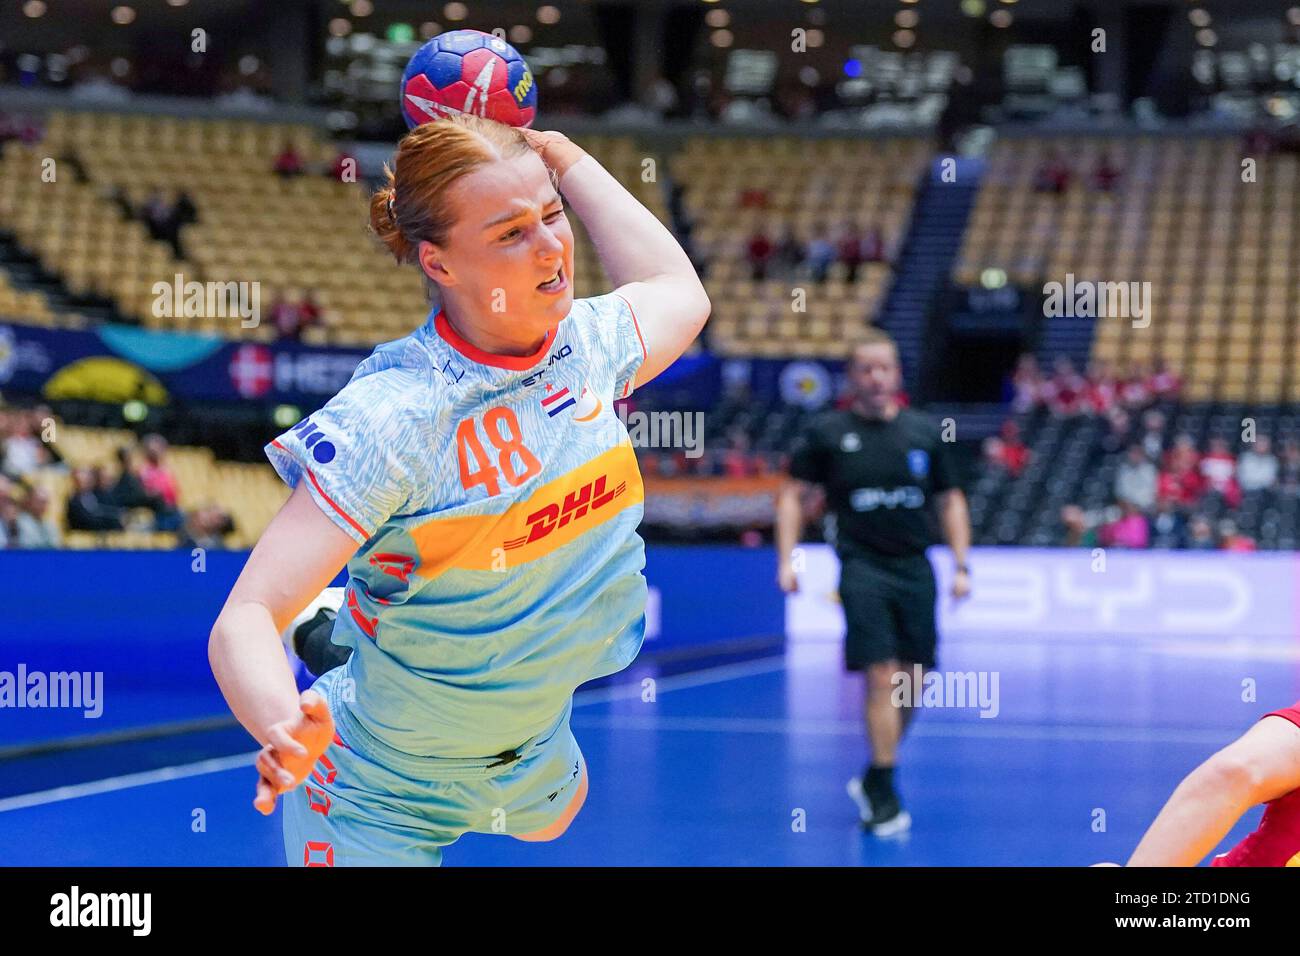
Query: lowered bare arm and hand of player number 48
{"points": [[298, 556]]}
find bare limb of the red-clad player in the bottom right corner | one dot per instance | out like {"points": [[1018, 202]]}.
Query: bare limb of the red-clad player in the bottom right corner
{"points": [[1263, 765]]}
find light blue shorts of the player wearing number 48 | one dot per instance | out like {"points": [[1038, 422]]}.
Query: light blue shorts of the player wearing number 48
{"points": [[369, 806]]}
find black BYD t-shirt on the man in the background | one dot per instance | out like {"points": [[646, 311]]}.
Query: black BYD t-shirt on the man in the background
{"points": [[881, 479]]}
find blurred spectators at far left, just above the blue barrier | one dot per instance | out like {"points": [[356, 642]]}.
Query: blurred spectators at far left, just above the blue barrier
{"points": [[140, 494]]}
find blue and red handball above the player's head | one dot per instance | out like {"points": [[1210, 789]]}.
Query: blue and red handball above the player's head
{"points": [[469, 72]]}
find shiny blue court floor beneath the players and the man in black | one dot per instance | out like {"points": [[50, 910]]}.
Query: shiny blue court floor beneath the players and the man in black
{"points": [[747, 764]]}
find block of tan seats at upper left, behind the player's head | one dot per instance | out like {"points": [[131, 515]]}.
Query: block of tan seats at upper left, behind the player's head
{"points": [[291, 236]]}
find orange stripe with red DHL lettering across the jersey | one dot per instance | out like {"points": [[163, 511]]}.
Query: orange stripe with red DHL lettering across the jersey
{"points": [[556, 514]]}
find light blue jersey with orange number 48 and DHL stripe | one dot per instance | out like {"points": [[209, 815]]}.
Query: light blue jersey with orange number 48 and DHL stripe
{"points": [[495, 501]]}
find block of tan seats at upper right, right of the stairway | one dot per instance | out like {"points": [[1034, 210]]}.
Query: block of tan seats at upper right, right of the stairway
{"points": [[1219, 252]]}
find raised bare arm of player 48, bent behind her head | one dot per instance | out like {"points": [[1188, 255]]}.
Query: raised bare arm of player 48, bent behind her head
{"points": [[643, 258]]}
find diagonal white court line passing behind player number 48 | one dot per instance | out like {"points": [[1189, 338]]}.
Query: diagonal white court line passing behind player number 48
{"points": [[710, 676]]}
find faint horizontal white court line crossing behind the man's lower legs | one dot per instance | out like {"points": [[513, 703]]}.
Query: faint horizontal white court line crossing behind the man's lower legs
{"points": [[986, 729]]}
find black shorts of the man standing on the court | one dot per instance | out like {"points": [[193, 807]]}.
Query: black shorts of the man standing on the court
{"points": [[890, 611]]}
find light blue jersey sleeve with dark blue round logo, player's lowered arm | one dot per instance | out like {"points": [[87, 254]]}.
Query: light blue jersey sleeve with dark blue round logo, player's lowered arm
{"points": [[362, 455]]}
